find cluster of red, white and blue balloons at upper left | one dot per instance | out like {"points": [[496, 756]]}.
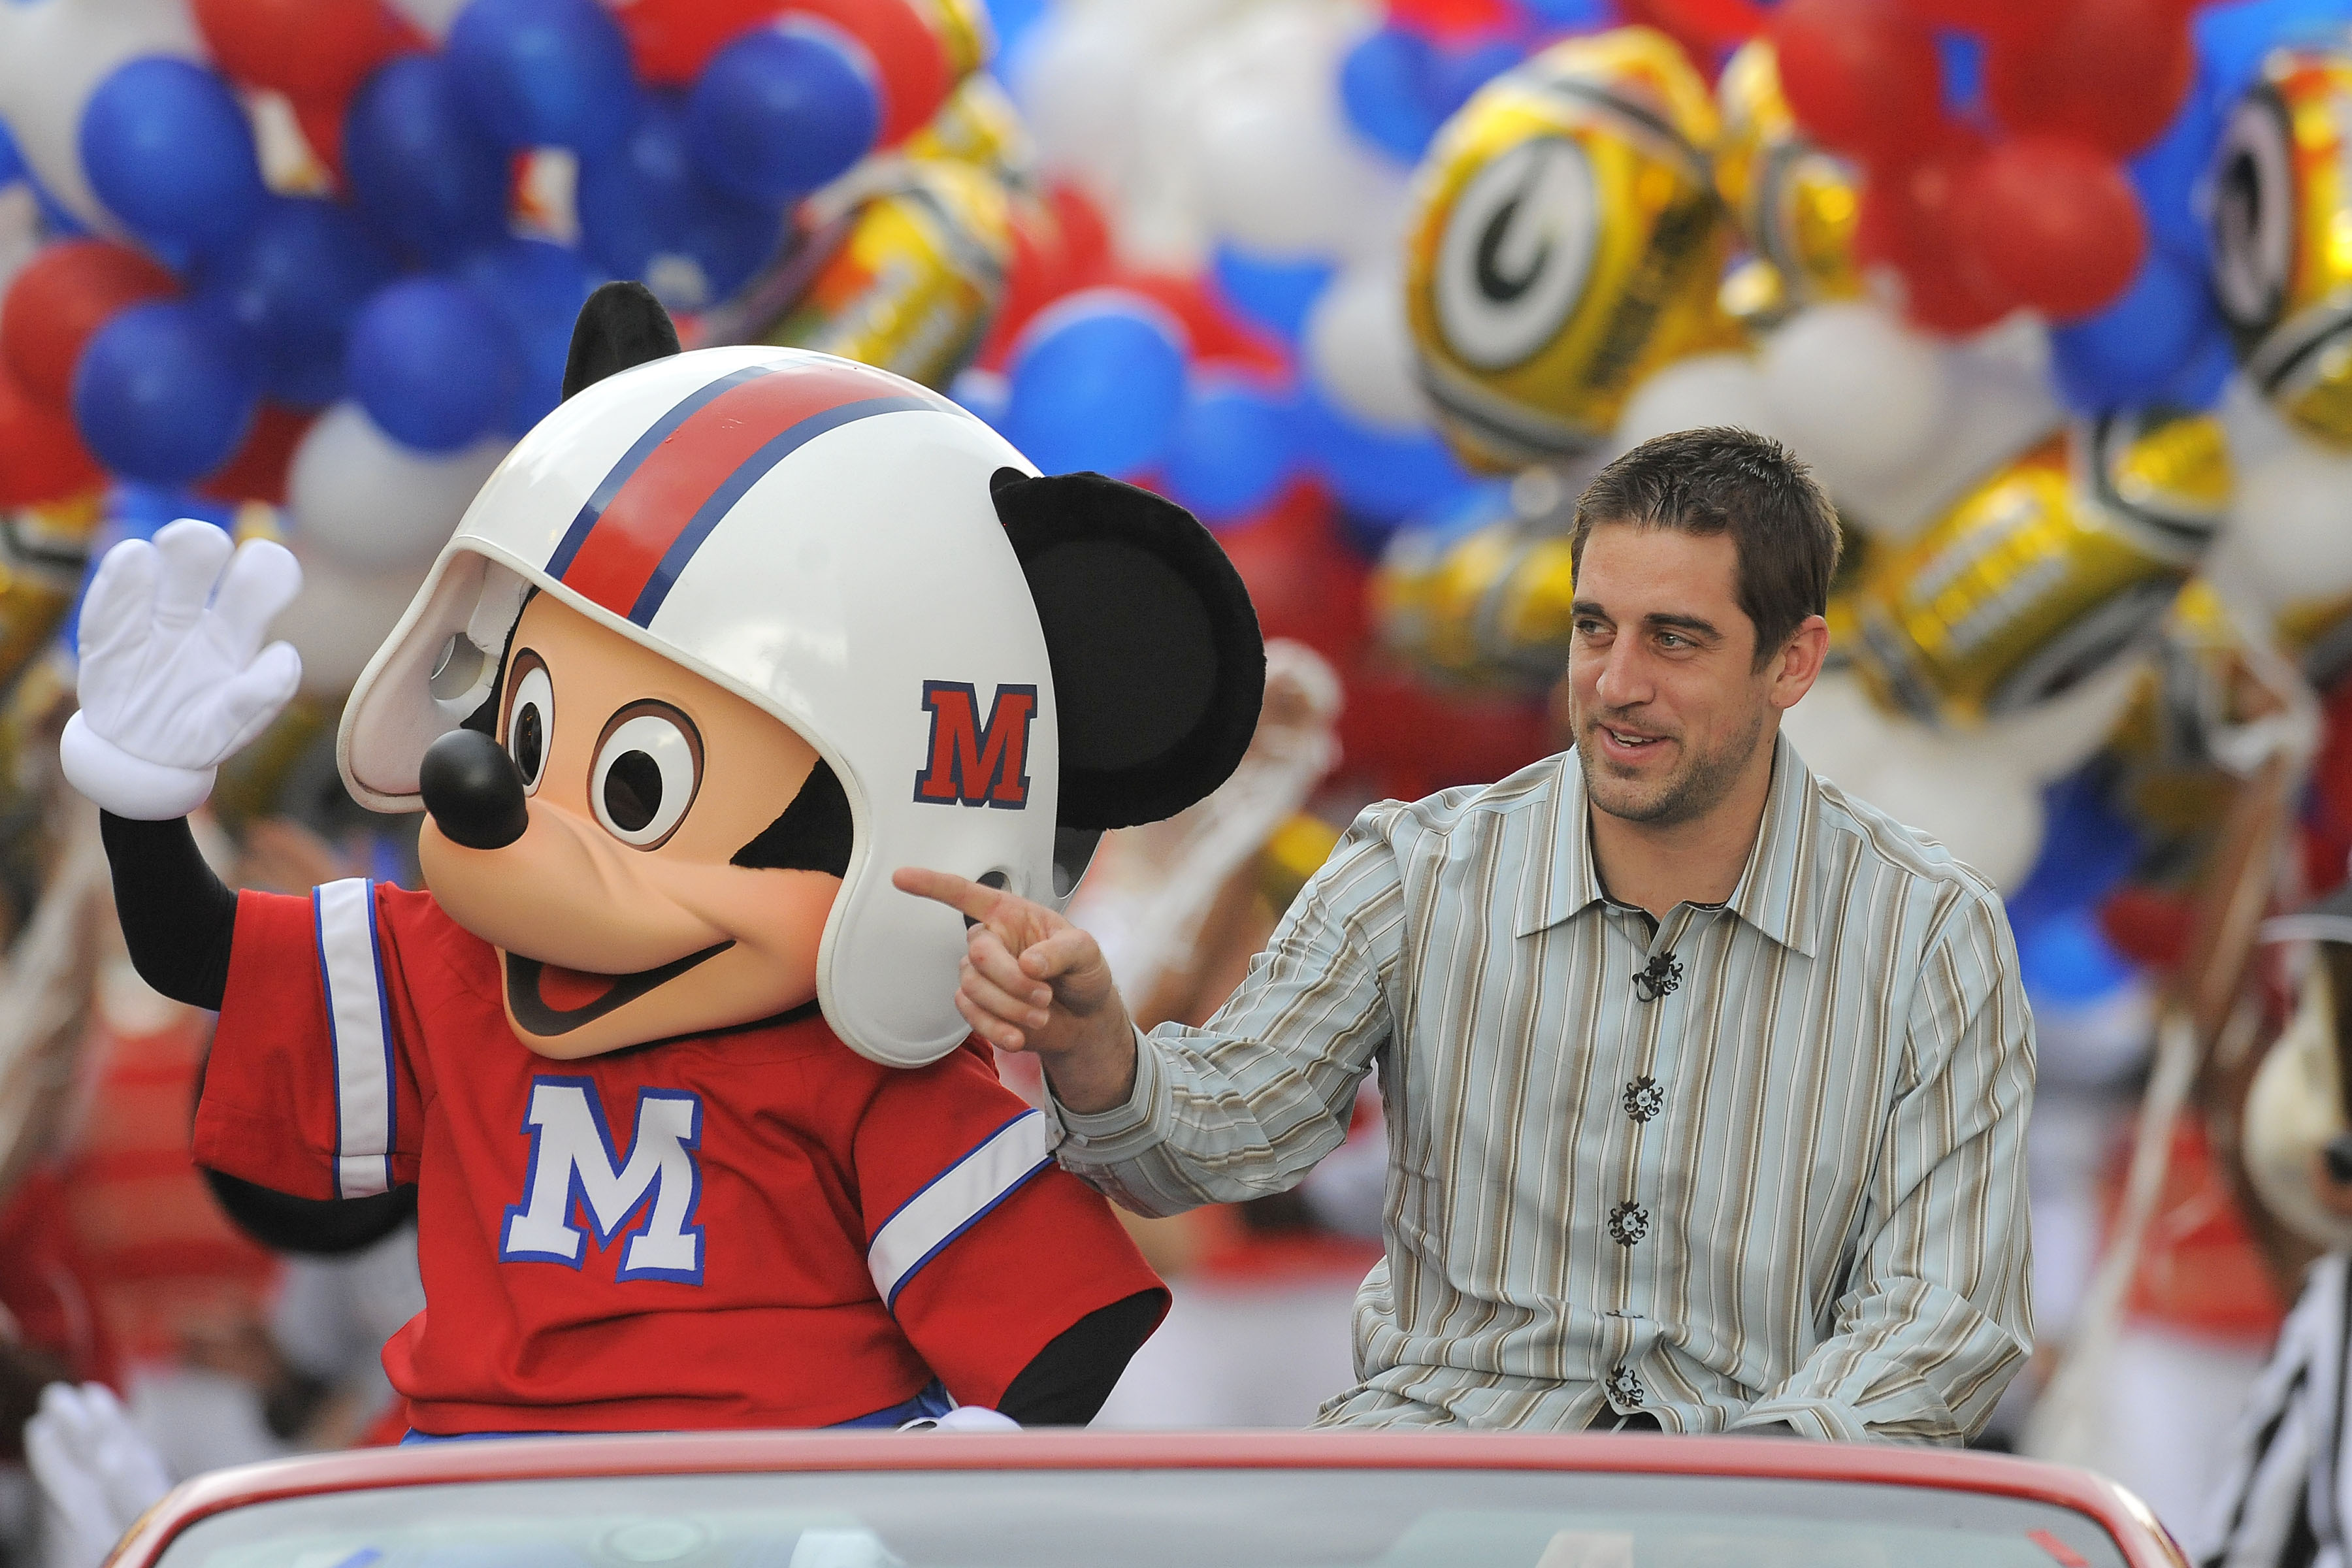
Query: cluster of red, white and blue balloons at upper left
{"points": [[328, 253]]}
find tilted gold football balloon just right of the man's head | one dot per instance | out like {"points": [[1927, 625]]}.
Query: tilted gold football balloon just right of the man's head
{"points": [[2045, 570]]}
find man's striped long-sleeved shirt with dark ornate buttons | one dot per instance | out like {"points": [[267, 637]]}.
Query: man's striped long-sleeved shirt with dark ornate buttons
{"points": [[1775, 1181]]}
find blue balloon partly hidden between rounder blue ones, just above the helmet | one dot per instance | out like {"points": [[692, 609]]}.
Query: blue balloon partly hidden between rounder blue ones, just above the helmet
{"points": [[648, 213]]}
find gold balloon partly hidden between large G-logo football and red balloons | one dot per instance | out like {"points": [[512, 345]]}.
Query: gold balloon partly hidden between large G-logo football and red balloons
{"points": [[1796, 203]]}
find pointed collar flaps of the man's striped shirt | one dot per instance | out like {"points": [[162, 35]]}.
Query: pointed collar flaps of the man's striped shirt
{"points": [[1777, 894]]}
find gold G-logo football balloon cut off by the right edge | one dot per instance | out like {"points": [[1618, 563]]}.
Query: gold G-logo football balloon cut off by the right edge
{"points": [[2283, 267]]}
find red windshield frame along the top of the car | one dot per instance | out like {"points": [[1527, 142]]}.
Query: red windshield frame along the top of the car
{"points": [[2123, 1515]]}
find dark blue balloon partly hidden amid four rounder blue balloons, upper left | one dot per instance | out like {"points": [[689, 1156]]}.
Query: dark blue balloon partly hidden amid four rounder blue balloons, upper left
{"points": [[293, 286]]}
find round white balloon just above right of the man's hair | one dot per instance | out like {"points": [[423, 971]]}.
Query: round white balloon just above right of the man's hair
{"points": [[1857, 391]]}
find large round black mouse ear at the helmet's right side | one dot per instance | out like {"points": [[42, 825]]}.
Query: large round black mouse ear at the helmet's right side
{"points": [[1158, 664]]}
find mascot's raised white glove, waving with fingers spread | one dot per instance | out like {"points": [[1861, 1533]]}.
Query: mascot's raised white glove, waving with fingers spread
{"points": [[171, 683]]}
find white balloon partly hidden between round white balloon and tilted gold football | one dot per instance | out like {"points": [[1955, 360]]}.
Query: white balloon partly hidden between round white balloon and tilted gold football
{"points": [[1996, 410]]}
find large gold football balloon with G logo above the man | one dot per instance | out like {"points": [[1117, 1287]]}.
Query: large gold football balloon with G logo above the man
{"points": [[1565, 241]]}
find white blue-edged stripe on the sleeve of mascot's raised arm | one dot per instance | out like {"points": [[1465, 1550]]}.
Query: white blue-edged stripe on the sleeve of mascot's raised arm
{"points": [[361, 1033]]}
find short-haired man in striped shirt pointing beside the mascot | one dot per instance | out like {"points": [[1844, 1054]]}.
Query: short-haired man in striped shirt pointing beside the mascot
{"points": [[1706, 1083]]}
